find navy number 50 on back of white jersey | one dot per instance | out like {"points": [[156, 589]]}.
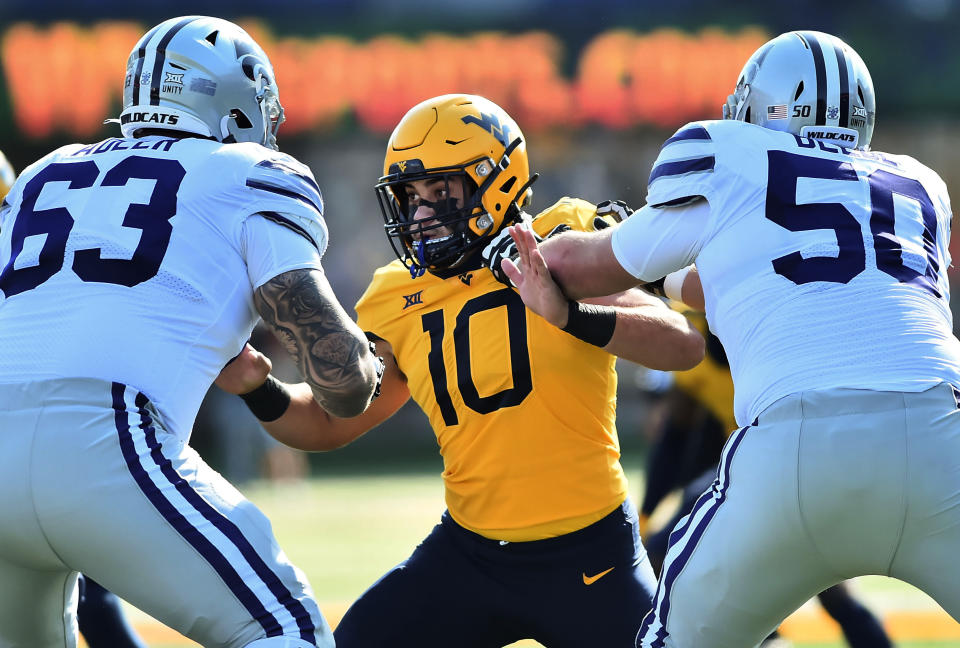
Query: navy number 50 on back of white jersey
{"points": [[782, 208]]}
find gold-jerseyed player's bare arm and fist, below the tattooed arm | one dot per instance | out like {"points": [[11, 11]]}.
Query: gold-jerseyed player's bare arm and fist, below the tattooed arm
{"points": [[304, 424]]}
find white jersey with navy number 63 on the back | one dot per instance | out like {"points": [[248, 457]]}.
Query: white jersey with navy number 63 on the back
{"points": [[135, 261]]}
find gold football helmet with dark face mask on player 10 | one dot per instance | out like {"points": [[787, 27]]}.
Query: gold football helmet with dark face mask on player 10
{"points": [[453, 136]]}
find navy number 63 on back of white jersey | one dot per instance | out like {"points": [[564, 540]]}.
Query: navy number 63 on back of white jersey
{"points": [[153, 218]]}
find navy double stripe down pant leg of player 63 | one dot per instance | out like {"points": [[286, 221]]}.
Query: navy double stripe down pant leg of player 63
{"points": [[192, 534]]}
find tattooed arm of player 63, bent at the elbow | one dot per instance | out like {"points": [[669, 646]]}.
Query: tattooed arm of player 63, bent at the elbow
{"points": [[330, 350]]}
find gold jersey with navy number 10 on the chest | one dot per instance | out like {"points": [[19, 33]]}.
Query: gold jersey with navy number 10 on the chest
{"points": [[524, 413]]}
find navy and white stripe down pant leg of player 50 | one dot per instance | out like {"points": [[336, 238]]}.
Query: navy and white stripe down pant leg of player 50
{"points": [[683, 541]]}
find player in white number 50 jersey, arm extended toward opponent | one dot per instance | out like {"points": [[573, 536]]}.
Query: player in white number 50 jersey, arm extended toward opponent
{"points": [[823, 269]]}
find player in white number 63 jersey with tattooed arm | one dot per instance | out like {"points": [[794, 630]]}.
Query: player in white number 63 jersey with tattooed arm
{"points": [[132, 270]]}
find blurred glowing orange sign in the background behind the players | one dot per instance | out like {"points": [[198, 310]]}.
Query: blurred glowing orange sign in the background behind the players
{"points": [[67, 78]]}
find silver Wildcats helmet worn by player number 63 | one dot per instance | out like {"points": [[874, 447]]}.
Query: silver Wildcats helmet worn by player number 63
{"points": [[201, 75]]}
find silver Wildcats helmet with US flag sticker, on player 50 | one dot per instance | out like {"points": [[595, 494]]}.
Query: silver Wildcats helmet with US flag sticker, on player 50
{"points": [[810, 84]]}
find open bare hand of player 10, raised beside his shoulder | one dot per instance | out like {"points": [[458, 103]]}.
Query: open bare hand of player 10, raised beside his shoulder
{"points": [[530, 275]]}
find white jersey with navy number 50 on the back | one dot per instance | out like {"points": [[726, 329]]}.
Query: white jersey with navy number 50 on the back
{"points": [[822, 267]]}
